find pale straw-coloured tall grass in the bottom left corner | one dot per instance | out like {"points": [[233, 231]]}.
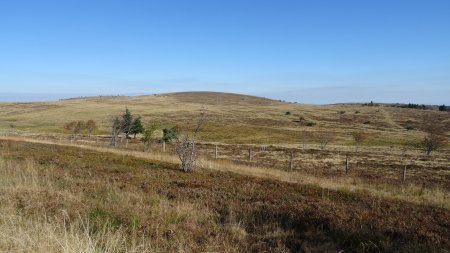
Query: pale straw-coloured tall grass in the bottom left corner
{"points": [[35, 231]]}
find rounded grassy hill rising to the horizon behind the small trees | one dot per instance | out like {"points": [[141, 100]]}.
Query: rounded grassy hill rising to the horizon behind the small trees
{"points": [[233, 118]]}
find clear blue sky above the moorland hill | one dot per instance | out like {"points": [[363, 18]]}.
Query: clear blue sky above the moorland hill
{"points": [[313, 51]]}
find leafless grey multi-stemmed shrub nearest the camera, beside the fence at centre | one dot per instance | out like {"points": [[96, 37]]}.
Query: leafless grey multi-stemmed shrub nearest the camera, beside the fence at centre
{"points": [[185, 145]]}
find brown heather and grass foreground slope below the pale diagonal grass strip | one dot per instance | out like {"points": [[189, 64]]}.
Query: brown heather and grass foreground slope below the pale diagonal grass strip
{"points": [[56, 198]]}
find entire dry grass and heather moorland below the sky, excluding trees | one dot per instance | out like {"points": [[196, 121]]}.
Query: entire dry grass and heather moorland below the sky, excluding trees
{"points": [[83, 195]]}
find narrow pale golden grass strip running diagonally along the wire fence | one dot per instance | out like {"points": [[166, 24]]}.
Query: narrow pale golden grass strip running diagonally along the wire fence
{"points": [[435, 196]]}
